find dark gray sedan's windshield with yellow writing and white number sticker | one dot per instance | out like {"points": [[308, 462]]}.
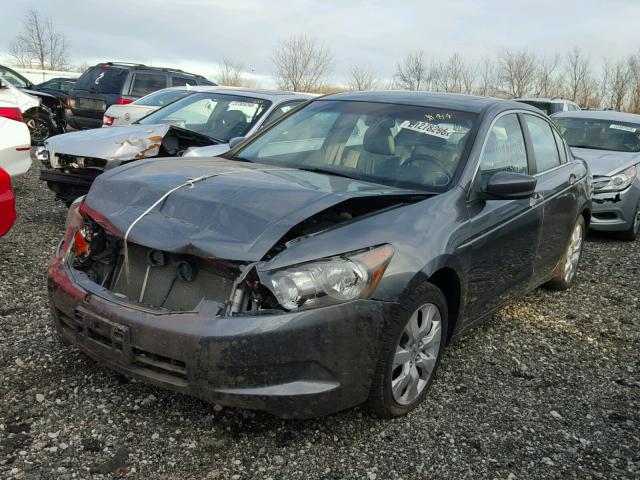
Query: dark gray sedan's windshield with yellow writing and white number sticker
{"points": [[400, 145]]}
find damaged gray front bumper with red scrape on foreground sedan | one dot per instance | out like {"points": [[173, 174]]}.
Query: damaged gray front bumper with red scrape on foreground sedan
{"points": [[293, 365]]}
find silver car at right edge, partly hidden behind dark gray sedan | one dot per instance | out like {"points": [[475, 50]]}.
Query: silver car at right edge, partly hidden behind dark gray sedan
{"points": [[610, 144]]}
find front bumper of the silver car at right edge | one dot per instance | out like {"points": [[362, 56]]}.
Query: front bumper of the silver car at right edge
{"points": [[614, 211]]}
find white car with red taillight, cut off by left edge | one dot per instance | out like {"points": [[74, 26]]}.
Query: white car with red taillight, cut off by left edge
{"points": [[15, 141]]}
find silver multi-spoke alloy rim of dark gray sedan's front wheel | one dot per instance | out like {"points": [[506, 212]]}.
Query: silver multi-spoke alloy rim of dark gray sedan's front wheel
{"points": [[416, 354]]}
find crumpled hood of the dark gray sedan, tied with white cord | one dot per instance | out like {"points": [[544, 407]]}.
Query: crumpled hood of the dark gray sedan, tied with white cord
{"points": [[238, 213]]}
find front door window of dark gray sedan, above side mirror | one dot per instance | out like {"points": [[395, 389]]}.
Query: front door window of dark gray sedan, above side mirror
{"points": [[504, 150]]}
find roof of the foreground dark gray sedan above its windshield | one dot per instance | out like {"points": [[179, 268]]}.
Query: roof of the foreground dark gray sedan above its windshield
{"points": [[453, 101]]}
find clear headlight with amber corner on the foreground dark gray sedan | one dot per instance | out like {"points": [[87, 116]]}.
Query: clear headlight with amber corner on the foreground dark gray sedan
{"points": [[328, 281]]}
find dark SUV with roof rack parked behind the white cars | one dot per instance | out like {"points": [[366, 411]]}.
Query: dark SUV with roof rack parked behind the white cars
{"points": [[112, 83]]}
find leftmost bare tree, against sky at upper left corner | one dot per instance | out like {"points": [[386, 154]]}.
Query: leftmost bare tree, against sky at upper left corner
{"points": [[40, 44]]}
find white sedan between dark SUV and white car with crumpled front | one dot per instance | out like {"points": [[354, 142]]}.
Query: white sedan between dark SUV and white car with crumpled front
{"points": [[118, 115]]}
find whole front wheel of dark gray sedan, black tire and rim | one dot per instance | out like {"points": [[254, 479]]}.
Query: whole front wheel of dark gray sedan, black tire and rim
{"points": [[412, 348]]}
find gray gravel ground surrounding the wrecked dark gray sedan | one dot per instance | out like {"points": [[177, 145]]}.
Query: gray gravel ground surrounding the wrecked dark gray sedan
{"points": [[549, 388]]}
